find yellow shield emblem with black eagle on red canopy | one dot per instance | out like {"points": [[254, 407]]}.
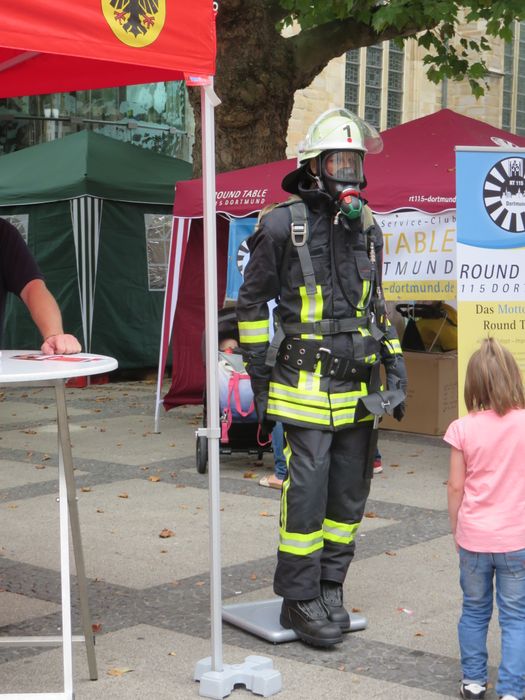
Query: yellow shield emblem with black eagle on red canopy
{"points": [[135, 22]]}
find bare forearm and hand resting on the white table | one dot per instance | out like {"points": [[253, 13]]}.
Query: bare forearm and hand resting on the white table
{"points": [[48, 319]]}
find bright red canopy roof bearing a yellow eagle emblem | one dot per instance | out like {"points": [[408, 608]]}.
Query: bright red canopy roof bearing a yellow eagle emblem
{"points": [[66, 46]]}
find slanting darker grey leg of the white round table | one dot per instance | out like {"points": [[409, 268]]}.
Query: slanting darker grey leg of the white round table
{"points": [[66, 457]]}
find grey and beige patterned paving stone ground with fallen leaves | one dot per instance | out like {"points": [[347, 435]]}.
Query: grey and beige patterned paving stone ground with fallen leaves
{"points": [[150, 596]]}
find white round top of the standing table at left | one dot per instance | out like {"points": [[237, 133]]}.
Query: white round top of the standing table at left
{"points": [[34, 366]]}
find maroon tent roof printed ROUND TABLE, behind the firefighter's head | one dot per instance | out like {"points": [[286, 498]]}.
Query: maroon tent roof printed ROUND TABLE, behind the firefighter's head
{"points": [[415, 170]]}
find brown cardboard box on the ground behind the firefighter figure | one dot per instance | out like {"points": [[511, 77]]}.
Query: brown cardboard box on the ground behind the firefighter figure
{"points": [[432, 401]]}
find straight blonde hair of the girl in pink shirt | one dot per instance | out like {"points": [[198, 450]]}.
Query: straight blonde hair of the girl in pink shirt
{"points": [[493, 379]]}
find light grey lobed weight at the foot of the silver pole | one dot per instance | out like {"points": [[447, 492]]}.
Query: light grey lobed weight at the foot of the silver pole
{"points": [[256, 673]]}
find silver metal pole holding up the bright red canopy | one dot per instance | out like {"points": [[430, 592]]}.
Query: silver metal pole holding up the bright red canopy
{"points": [[212, 383]]}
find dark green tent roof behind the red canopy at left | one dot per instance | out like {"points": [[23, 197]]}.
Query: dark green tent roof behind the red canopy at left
{"points": [[87, 163]]}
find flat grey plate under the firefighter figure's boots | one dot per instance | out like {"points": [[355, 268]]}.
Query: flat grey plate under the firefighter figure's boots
{"points": [[261, 618]]}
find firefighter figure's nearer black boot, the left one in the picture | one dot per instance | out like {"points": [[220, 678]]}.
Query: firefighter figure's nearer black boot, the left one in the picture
{"points": [[309, 620]]}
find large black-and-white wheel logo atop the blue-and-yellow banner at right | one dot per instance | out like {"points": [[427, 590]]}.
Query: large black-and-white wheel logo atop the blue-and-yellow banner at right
{"points": [[504, 194]]}
